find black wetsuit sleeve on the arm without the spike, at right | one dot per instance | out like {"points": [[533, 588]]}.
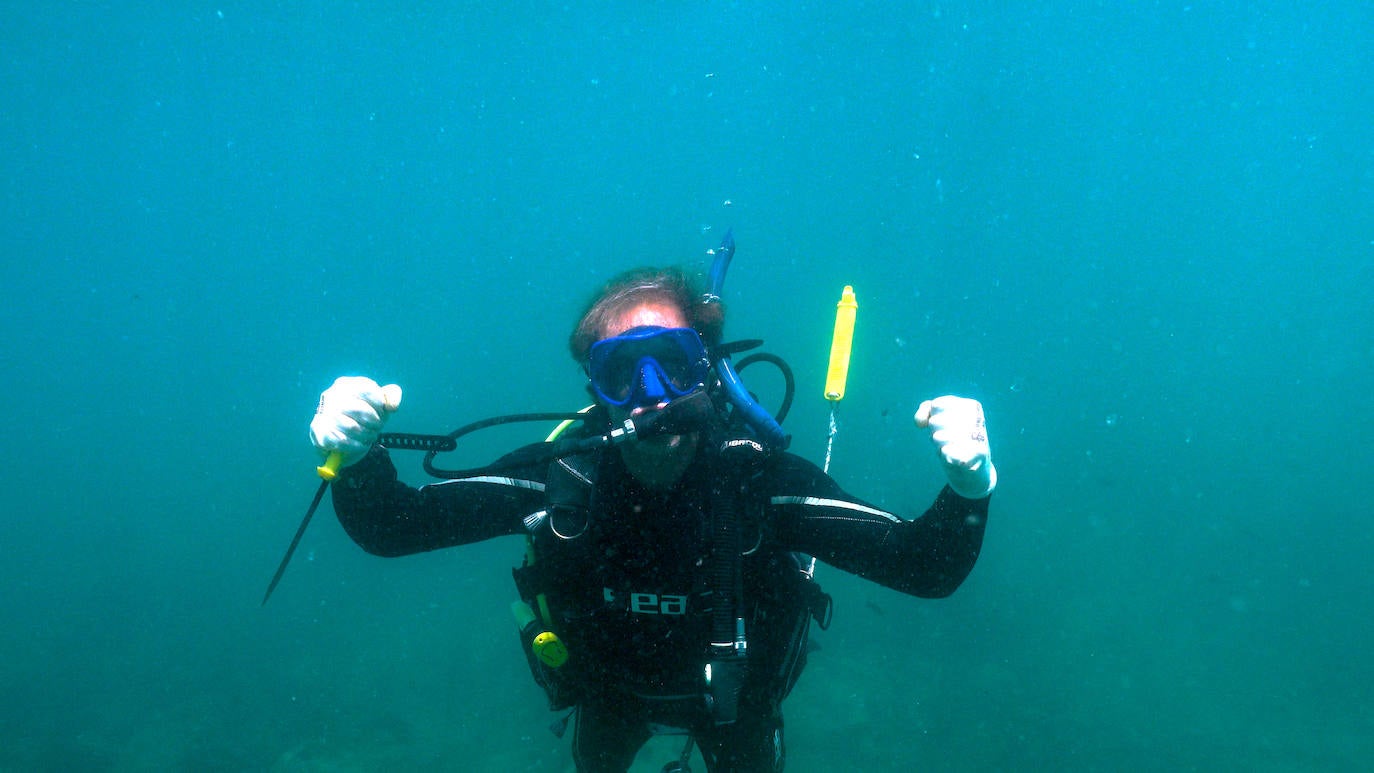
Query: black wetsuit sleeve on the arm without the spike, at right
{"points": [[928, 557]]}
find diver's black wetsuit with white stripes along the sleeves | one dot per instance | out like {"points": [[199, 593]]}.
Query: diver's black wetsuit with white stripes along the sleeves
{"points": [[630, 592]]}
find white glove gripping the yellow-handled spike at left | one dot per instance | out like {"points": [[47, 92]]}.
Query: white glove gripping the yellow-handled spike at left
{"points": [[351, 417]]}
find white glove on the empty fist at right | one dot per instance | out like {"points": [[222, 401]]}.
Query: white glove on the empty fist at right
{"points": [[961, 436]]}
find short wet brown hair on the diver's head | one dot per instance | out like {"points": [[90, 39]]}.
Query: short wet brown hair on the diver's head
{"points": [[671, 286]]}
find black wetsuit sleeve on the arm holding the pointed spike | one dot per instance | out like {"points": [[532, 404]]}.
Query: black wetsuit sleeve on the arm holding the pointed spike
{"points": [[390, 518]]}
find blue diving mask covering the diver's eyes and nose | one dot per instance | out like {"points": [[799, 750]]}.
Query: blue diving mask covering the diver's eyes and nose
{"points": [[646, 366]]}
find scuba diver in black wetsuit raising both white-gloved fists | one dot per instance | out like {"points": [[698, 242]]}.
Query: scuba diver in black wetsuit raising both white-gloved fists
{"points": [[668, 579]]}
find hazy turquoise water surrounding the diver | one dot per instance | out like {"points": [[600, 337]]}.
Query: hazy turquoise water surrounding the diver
{"points": [[1142, 234]]}
